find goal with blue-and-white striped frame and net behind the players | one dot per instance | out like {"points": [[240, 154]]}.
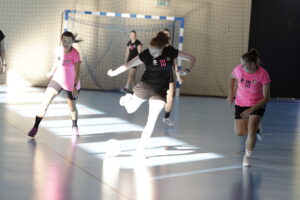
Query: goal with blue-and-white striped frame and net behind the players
{"points": [[105, 35]]}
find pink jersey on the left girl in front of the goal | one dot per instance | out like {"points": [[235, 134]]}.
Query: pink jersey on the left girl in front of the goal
{"points": [[65, 68]]}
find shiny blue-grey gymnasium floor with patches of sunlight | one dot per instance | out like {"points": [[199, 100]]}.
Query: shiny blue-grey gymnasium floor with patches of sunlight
{"points": [[199, 158]]}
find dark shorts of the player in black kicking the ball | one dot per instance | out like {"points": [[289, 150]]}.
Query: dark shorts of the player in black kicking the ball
{"points": [[144, 91]]}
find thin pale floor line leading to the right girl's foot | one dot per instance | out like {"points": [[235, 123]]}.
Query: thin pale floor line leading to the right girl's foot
{"points": [[197, 172]]}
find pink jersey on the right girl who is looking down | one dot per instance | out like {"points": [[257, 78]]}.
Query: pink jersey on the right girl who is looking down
{"points": [[250, 86]]}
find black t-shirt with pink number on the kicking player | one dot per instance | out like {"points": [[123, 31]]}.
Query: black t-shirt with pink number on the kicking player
{"points": [[157, 74]]}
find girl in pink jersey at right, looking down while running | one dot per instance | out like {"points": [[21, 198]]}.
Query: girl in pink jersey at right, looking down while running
{"points": [[253, 92]]}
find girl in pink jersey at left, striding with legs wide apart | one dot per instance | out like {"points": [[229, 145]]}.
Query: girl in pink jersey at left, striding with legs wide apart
{"points": [[65, 76]]}
